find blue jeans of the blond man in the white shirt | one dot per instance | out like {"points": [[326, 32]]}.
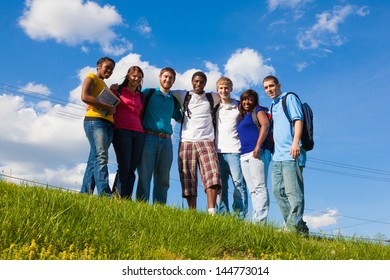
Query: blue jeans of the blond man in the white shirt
{"points": [[230, 166]]}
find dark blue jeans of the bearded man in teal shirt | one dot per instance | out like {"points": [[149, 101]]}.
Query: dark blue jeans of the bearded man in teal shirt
{"points": [[156, 161]]}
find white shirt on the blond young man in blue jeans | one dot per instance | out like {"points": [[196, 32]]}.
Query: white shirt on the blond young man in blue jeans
{"points": [[227, 139]]}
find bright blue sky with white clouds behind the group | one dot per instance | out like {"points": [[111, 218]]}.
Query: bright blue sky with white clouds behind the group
{"points": [[334, 54]]}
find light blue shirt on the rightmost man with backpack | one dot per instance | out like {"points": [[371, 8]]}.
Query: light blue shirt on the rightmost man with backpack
{"points": [[282, 130]]}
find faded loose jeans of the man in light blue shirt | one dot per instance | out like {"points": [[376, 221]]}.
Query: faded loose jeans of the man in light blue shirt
{"points": [[287, 182]]}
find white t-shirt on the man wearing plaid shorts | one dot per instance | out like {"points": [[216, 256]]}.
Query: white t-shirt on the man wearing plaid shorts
{"points": [[199, 126]]}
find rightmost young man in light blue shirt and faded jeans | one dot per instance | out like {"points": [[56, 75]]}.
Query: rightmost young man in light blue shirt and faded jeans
{"points": [[289, 157]]}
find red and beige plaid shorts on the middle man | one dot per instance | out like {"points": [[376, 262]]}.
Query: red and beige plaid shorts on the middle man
{"points": [[192, 155]]}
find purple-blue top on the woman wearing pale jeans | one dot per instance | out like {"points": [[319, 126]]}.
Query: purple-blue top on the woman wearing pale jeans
{"points": [[248, 132]]}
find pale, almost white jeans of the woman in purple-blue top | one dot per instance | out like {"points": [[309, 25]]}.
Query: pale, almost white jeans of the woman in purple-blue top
{"points": [[256, 175]]}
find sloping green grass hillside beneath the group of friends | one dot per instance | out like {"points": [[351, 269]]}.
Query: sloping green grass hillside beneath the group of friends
{"points": [[39, 223]]}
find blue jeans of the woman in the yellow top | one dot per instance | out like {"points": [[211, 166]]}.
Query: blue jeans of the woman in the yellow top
{"points": [[99, 134]]}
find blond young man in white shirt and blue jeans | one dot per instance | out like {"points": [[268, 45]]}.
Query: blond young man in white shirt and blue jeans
{"points": [[228, 148]]}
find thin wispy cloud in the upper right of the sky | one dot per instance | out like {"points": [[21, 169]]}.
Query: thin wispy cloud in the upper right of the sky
{"points": [[325, 31]]}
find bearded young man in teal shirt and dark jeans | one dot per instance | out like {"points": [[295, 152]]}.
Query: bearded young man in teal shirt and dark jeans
{"points": [[157, 154]]}
